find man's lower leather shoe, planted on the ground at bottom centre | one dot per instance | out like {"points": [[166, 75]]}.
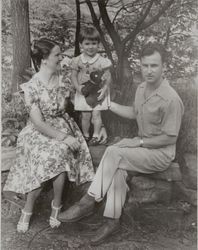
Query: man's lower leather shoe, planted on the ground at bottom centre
{"points": [[111, 227]]}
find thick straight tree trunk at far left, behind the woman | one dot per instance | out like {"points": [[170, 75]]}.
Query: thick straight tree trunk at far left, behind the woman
{"points": [[21, 40]]}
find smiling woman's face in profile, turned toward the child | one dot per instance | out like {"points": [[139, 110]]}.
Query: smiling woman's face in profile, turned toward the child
{"points": [[54, 59]]}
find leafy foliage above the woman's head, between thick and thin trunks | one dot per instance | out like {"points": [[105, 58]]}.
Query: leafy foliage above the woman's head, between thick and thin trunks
{"points": [[52, 19]]}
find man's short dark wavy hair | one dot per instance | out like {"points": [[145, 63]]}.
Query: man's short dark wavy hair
{"points": [[152, 47]]}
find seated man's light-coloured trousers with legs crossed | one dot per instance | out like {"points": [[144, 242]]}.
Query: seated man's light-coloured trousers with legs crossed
{"points": [[110, 177]]}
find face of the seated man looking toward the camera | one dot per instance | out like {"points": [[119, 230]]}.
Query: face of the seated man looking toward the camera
{"points": [[152, 68]]}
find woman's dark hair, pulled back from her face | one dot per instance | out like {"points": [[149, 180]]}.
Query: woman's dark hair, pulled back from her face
{"points": [[41, 49]]}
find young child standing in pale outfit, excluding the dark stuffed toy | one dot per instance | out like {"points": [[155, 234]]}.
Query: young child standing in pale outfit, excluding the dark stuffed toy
{"points": [[88, 61]]}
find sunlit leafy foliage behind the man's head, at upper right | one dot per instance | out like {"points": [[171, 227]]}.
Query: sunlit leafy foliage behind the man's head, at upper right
{"points": [[174, 29]]}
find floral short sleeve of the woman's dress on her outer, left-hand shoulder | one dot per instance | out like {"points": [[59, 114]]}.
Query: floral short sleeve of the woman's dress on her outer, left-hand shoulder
{"points": [[31, 96]]}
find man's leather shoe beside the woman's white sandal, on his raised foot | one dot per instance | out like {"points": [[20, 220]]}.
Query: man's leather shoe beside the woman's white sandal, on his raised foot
{"points": [[76, 212]]}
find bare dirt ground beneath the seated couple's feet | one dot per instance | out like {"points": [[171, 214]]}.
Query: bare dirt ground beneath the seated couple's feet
{"points": [[145, 227]]}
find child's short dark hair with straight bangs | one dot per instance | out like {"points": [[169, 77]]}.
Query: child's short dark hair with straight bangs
{"points": [[90, 33]]}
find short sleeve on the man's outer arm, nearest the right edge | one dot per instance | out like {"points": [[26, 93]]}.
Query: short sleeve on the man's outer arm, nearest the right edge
{"points": [[172, 118]]}
